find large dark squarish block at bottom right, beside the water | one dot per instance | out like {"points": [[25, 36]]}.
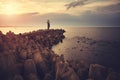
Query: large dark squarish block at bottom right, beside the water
{"points": [[97, 72]]}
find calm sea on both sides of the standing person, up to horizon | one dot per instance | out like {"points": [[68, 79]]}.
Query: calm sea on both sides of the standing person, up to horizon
{"points": [[92, 45]]}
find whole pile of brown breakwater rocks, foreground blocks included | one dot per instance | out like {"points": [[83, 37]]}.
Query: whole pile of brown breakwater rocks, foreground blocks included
{"points": [[29, 56]]}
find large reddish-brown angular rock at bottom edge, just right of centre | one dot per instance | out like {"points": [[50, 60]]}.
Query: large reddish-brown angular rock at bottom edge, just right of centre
{"points": [[65, 72]]}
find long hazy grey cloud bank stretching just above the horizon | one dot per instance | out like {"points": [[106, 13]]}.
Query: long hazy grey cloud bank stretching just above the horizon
{"points": [[57, 19]]}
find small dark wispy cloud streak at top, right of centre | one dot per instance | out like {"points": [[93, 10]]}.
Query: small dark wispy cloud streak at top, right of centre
{"points": [[76, 3]]}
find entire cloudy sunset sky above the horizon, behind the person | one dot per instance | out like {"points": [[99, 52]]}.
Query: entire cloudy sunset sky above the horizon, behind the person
{"points": [[99, 13]]}
